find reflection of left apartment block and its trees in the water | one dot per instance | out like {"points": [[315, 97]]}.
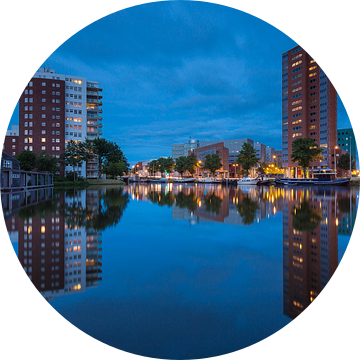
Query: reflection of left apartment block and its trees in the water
{"points": [[59, 236]]}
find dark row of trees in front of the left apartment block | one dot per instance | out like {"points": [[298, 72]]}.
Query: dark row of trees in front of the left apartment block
{"points": [[111, 159]]}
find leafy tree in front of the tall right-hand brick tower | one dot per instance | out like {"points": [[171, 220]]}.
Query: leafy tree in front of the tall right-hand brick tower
{"points": [[305, 151]]}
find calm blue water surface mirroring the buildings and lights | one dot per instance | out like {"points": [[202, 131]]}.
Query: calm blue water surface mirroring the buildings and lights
{"points": [[181, 271]]}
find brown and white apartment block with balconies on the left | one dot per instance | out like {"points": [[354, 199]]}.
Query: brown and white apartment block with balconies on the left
{"points": [[54, 109]]}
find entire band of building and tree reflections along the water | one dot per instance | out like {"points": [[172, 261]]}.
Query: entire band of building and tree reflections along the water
{"points": [[59, 238]]}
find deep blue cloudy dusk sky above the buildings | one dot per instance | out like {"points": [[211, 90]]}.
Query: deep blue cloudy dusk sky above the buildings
{"points": [[175, 69]]}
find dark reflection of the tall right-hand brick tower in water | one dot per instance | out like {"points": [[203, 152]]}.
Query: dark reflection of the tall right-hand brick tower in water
{"points": [[310, 244]]}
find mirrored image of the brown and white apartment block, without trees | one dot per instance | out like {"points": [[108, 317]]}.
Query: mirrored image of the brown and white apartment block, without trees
{"points": [[59, 258]]}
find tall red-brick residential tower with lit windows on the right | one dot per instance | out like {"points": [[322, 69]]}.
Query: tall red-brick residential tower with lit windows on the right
{"points": [[309, 108]]}
